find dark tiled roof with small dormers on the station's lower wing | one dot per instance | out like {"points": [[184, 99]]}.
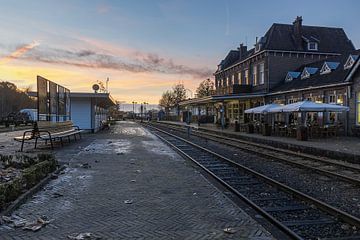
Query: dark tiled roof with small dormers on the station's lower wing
{"points": [[338, 75]]}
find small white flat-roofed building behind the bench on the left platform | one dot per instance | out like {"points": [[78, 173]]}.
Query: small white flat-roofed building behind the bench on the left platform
{"points": [[88, 110]]}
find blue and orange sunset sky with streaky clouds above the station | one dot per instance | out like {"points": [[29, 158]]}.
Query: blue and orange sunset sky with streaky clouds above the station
{"points": [[144, 47]]}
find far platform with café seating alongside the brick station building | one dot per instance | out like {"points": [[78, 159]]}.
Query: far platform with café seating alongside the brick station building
{"points": [[344, 148]]}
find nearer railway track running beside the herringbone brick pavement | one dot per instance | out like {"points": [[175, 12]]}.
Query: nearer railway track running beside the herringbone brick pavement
{"points": [[295, 213]]}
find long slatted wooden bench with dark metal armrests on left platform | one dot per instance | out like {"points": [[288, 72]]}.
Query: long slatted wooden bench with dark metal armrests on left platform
{"points": [[50, 132]]}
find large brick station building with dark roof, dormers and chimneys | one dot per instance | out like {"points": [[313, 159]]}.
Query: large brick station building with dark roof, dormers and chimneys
{"points": [[291, 62]]}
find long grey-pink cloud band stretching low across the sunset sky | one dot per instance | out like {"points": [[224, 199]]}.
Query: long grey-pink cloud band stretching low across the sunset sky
{"points": [[99, 59]]}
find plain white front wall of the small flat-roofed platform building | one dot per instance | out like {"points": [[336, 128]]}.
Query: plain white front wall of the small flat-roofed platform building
{"points": [[81, 113]]}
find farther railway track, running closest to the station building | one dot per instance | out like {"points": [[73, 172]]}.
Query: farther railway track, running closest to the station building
{"points": [[330, 167]]}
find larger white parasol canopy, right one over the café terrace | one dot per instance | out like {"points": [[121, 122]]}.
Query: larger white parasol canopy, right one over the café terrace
{"points": [[309, 106]]}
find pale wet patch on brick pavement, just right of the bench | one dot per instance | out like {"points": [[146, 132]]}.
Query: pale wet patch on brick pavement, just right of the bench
{"points": [[108, 146]]}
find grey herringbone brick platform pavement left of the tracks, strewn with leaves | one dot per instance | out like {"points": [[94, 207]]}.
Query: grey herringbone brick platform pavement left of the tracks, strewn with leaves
{"points": [[136, 188]]}
